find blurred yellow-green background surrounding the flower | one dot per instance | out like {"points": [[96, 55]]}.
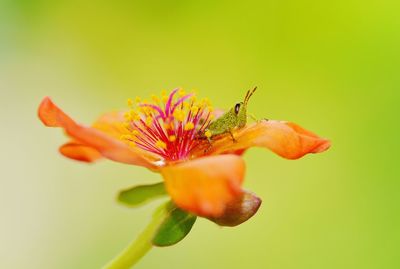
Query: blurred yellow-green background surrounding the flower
{"points": [[331, 66]]}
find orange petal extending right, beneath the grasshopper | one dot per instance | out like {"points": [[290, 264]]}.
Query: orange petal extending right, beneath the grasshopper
{"points": [[284, 138]]}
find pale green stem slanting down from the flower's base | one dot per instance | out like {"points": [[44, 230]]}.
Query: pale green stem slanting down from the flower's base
{"points": [[139, 247]]}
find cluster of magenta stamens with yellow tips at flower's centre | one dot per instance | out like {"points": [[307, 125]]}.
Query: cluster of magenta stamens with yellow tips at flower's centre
{"points": [[167, 126]]}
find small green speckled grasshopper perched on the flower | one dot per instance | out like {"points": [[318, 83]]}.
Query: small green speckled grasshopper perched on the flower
{"points": [[235, 118]]}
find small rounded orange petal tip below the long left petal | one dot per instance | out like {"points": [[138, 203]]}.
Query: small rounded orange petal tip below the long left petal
{"points": [[80, 152]]}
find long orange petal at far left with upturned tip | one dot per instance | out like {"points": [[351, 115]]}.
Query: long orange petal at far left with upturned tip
{"points": [[106, 145]]}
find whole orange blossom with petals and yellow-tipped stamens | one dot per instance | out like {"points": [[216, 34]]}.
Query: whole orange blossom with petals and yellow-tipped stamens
{"points": [[163, 136]]}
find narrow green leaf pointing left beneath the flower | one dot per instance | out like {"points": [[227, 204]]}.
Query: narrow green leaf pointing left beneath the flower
{"points": [[142, 194]]}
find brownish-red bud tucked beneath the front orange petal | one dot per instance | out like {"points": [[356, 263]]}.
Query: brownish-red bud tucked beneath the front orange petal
{"points": [[239, 210]]}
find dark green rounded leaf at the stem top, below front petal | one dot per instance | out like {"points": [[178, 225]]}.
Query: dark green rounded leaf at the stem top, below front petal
{"points": [[176, 225]]}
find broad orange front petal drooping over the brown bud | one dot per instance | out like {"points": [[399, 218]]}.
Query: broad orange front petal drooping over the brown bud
{"points": [[205, 186]]}
